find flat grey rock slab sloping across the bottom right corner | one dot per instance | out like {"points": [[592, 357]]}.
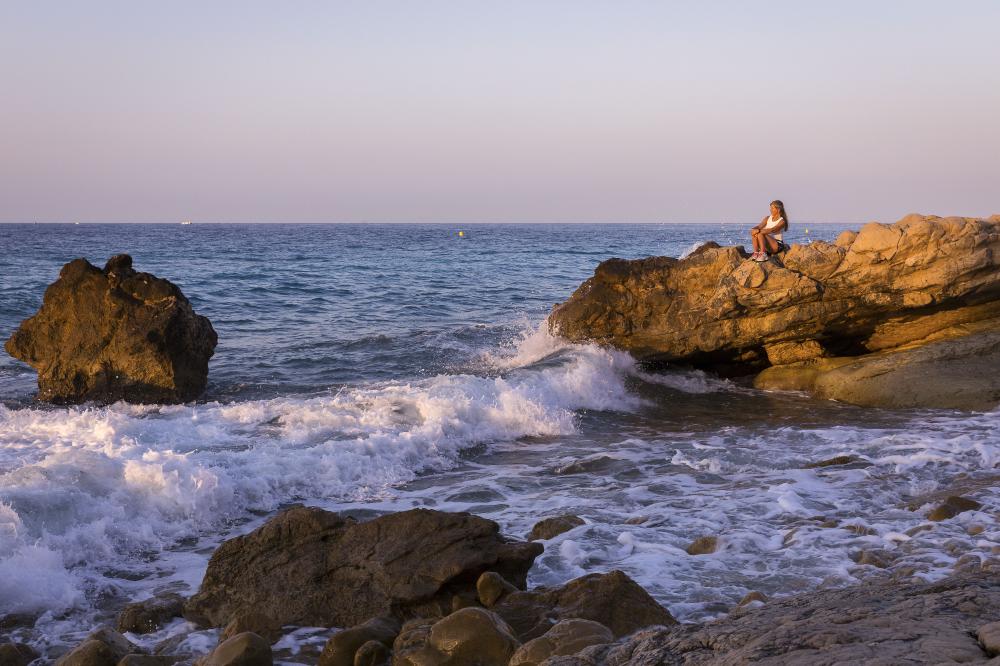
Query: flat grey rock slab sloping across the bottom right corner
{"points": [[900, 623]]}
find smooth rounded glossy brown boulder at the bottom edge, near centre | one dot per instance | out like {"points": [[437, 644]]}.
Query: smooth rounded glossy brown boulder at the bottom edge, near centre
{"points": [[473, 636]]}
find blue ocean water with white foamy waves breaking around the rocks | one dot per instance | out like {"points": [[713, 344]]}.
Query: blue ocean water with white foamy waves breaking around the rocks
{"points": [[373, 368]]}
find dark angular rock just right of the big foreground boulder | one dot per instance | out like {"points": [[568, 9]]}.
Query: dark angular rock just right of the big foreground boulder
{"points": [[612, 599]]}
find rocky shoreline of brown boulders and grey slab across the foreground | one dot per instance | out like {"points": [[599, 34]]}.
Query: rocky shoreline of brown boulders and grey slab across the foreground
{"points": [[425, 588]]}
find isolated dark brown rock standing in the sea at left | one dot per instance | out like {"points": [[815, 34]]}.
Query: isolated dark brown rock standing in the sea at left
{"points": [[115, 334]]}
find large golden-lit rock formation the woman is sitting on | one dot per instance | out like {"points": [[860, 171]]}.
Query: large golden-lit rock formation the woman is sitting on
{"points": [[868, 319]]}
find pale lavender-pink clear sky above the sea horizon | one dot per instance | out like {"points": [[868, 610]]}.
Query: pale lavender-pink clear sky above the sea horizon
{"points": [[505, 111]]}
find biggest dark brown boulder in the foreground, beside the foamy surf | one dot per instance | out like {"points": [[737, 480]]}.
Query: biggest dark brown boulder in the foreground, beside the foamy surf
{"points": [[311, 567]]}
